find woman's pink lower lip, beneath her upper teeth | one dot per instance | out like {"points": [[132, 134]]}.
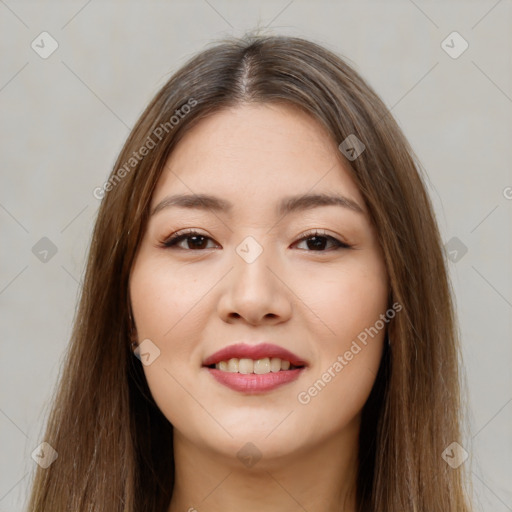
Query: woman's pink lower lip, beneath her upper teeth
{"points": [[255, 383]]}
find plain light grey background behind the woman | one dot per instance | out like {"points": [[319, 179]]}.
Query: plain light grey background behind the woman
{"points": [[64, 119]]}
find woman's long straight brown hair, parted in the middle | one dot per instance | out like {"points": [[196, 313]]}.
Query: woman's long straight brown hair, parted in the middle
{"points": [[114, 444]]}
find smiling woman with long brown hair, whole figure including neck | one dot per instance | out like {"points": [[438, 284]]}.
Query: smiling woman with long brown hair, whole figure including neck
{"points": [[266, 320]]}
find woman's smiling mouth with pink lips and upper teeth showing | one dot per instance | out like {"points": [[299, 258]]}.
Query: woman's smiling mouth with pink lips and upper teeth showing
{"points": [[254, 369]]}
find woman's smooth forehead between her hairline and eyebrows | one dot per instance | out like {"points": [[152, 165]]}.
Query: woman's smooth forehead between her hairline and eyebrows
{"points": [[256, 154]]}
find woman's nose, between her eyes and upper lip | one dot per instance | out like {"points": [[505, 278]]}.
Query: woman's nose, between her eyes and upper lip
{"points": [[255, 292]]}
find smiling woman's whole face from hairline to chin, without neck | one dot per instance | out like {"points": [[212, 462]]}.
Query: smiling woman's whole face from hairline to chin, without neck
{"points": [[264, 265]]}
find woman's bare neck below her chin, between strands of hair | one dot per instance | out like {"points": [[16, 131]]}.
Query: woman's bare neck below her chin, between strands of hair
{"points": [[321, 477]]}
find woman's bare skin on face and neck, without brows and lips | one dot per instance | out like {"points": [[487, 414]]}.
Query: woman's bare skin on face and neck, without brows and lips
{"points": [[201, 296]]}
